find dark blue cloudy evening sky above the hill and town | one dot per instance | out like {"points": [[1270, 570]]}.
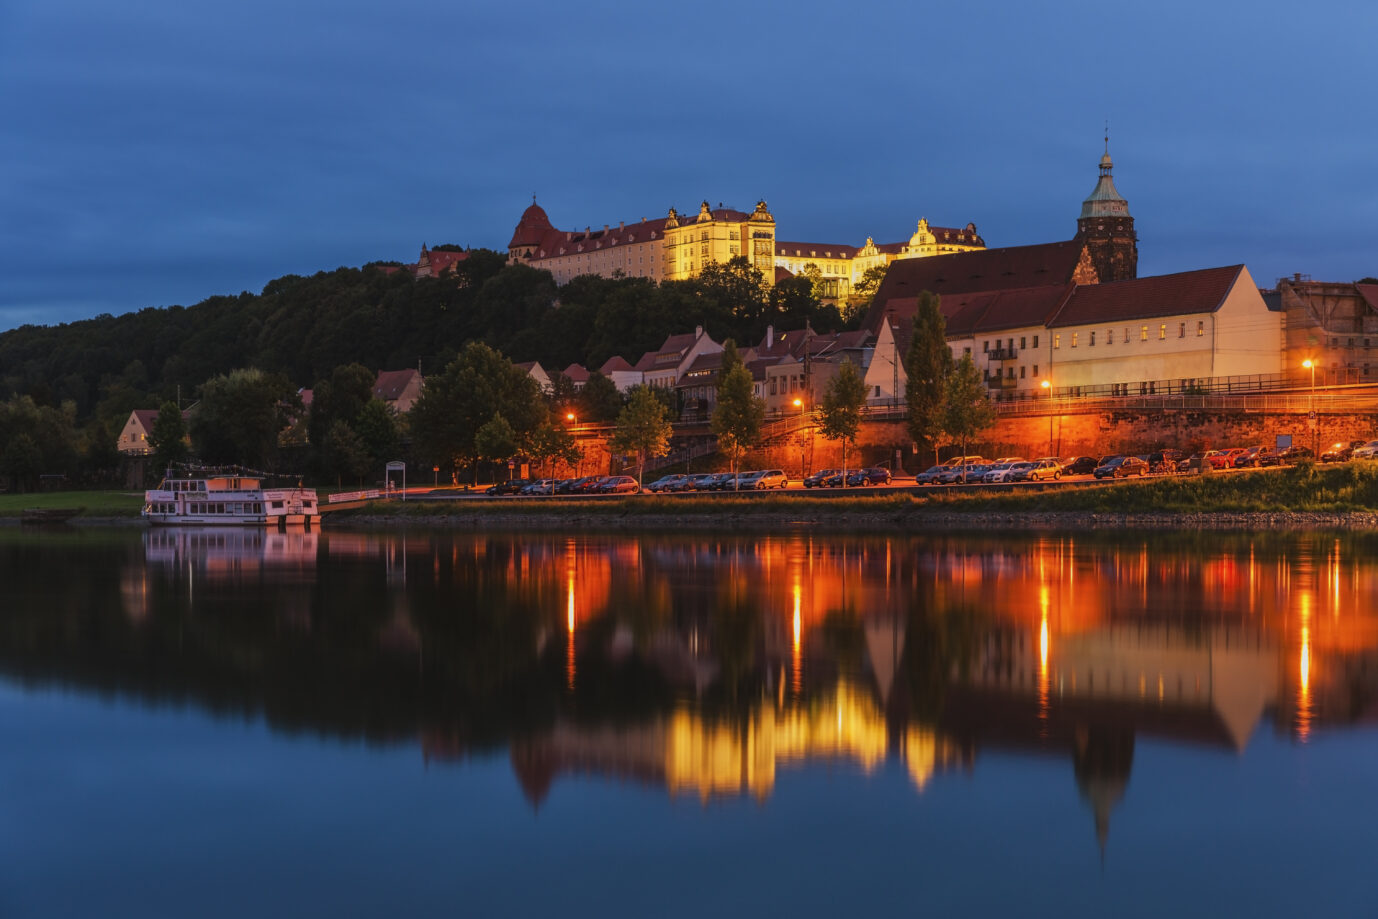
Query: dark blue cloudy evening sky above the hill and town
{"points": [[162, 152]]}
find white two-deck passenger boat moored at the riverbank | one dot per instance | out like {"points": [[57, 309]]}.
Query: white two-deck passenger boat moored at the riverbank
{"points": [[217, 498]]}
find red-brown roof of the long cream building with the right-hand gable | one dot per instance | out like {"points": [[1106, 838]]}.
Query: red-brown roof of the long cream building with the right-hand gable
{"points": [[1147, 298]]}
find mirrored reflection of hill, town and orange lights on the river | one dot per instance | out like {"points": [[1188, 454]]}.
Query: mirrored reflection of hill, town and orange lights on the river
{"points": [[708, 668]]}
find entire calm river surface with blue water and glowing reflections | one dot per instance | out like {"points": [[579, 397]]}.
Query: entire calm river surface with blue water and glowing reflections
{"points": [[229, 724]]}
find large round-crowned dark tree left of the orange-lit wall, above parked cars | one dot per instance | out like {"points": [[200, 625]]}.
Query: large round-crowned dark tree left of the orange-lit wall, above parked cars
{"points": [[475, 388]]}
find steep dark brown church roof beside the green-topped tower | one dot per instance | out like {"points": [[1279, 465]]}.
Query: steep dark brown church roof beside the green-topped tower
{"points": [[1016, 267]]}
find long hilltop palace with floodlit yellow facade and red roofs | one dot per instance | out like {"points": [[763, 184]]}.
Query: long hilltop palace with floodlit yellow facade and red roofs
{"points": [[679, 246]]}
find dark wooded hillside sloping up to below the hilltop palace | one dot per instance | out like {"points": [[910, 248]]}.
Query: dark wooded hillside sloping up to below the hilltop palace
{"points": [[304, 329]]}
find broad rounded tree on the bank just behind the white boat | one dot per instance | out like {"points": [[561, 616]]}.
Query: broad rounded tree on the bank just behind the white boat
{"points": [[242, 415]]}
